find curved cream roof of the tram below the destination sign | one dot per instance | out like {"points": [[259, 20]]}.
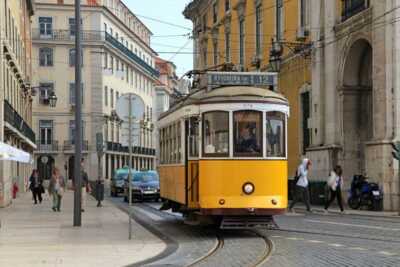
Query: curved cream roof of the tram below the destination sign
{"points": [[228, 94]]}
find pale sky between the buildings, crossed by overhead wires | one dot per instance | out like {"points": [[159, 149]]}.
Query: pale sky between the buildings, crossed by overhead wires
{"points": [[169, 11]]}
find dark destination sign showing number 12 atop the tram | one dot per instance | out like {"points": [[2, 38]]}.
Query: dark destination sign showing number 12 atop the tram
{"points": [[263, 79]]}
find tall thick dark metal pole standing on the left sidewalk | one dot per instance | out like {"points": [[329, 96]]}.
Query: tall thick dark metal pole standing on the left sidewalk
{"points": [[78, 117]]}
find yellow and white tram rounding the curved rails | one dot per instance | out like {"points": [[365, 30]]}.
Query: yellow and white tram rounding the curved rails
{"points": [[223, 155]]}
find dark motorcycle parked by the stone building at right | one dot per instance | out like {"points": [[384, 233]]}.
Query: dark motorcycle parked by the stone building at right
{"points": [[364, 194]]}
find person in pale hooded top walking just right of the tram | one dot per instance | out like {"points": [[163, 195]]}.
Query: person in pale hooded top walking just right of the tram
{"points": [[301, 190]]}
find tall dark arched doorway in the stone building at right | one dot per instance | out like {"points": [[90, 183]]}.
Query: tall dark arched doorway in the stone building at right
{"points": [[357, 106]]}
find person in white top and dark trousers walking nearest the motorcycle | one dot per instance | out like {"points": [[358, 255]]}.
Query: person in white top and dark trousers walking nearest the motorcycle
{"points": [[335, 184]]}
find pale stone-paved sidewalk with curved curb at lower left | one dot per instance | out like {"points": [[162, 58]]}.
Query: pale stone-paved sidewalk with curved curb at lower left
{"points": [[34, 235]]}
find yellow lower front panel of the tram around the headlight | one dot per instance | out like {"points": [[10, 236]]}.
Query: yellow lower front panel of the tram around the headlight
{"points": [[224, 179]]}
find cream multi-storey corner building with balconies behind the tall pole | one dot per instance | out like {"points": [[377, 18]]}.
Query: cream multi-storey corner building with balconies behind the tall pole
{"points": [[117, 59]]}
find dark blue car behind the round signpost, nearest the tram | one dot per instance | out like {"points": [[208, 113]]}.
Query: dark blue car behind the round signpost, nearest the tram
{"points": [[145, 186]]}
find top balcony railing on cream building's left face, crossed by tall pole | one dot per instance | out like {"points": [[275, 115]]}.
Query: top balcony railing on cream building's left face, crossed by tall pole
{"points": [[66, 35]]}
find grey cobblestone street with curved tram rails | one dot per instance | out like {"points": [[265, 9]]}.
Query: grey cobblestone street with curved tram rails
{"points": [[302, 240]]}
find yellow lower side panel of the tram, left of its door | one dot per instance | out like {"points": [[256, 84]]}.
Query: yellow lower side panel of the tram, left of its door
{"points": [[172, 182]]}
